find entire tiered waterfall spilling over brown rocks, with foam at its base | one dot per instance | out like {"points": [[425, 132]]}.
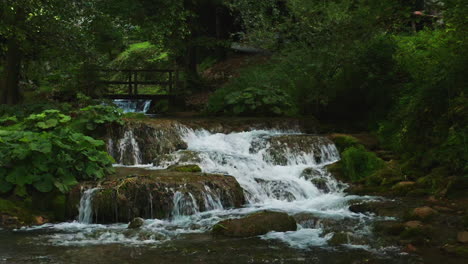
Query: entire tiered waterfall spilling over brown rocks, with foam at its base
{"points": [[277, 170]]}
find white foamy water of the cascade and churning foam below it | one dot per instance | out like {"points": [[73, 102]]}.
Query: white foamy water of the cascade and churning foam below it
{"points": [[267, 186]]}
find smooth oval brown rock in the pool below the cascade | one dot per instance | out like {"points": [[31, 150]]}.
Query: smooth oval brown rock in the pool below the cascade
{"points": [[256, 224]]}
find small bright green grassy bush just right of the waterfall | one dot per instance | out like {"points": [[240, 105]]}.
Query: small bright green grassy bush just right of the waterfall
{"points": [[358, 163]]}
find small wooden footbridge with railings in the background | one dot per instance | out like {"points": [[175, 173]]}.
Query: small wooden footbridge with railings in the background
{"points": [[127, 83]]}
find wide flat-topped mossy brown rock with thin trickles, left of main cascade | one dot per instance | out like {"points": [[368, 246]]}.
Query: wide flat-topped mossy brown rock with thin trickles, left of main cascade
{"points": [[152, 194]]}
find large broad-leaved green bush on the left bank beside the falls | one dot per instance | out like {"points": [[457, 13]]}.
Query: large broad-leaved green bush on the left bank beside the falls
{"points": [[44, 153]]}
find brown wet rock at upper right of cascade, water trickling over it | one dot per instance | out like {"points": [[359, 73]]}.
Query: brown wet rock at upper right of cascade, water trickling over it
{"points": [[281, 147]]}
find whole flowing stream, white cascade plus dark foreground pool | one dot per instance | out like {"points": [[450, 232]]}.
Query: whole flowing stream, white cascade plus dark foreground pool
{"points": [[268, 183]]}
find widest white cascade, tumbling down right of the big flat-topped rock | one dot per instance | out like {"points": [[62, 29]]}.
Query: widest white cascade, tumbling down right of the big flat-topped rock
{"points": [[248, 157]]}
